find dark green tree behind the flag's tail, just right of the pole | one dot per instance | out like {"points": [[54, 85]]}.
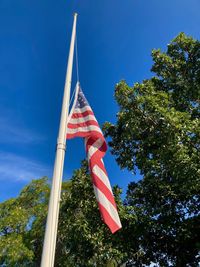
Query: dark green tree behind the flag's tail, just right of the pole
{"points": [[83, 238]]}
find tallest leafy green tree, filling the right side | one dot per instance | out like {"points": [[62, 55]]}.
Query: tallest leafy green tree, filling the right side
{"points": [[158, 132]]}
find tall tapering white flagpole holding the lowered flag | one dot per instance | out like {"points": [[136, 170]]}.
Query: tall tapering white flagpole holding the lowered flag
{"points": [[48, 253]]}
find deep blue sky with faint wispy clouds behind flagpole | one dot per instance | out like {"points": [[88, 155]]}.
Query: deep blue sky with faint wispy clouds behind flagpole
{"points": [[115, 39]]}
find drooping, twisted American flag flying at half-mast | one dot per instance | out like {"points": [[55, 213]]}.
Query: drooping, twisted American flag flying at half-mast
{"points": [[82, 123]]}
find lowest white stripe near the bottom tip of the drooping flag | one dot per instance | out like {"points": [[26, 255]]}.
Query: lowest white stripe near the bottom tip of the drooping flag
{"points": [[101, 198]]}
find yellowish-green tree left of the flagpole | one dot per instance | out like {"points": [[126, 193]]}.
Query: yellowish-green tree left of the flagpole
{"points": [[22, 222]]}
